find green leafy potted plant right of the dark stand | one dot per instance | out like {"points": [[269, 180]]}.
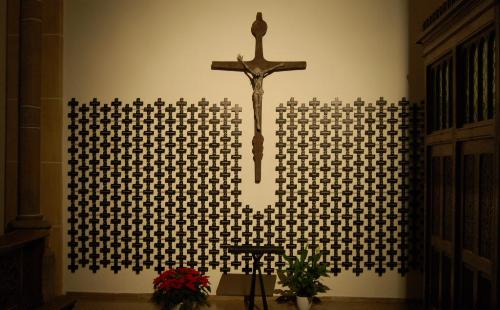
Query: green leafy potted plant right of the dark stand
{"points": [[302, 277]]}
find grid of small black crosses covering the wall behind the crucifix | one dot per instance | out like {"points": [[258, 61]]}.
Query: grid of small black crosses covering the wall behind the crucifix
{"points": [[159, 186]]}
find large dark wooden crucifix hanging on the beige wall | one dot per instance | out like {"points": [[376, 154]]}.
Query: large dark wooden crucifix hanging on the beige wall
{"points": [[256, 70]]}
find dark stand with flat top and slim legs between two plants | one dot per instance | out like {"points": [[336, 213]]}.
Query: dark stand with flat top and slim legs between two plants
{"points": [[257, 252]]}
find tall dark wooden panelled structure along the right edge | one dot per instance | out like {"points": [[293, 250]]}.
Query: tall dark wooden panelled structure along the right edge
{"points": [[462, 140]]}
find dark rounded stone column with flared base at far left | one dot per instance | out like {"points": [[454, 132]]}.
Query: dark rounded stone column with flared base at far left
{"points": [[30, 48]]}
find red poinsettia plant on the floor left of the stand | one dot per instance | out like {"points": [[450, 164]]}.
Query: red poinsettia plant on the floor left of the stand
{"points": [[184, 286]]}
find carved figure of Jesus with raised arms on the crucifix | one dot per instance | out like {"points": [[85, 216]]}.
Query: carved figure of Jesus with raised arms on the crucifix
{"points": [[256, 77]]}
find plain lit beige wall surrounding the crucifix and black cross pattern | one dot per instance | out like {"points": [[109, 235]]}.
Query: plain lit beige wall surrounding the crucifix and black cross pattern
{"points": [[151, 49]]}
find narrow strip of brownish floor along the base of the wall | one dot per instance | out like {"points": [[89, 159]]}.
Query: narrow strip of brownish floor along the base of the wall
{"points": [[231, 303]]}
